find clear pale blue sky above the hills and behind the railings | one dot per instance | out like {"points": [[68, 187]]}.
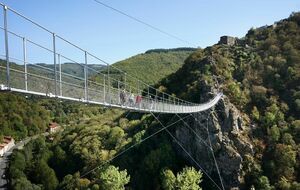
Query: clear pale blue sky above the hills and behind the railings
{"points": [[113, 37]]}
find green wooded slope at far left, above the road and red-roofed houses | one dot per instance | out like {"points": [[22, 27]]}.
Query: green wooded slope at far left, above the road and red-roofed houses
{"points": [[21, 117]]}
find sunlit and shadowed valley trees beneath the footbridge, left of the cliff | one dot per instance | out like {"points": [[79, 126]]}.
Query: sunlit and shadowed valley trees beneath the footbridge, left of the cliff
{"points": [[92, 137]]}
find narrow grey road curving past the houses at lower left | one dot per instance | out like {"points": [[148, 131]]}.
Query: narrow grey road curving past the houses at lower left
{"points": [[4, 161]]}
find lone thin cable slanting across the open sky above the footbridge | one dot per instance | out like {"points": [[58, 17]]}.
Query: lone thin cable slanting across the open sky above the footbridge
{"points": [[145, 23]]}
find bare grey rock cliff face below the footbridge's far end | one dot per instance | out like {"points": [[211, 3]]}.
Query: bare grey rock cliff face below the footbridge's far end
{"points": [[228, 133]]}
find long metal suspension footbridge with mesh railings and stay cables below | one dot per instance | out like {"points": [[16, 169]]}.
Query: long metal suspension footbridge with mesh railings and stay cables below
{"points": [[44, 66]]}
